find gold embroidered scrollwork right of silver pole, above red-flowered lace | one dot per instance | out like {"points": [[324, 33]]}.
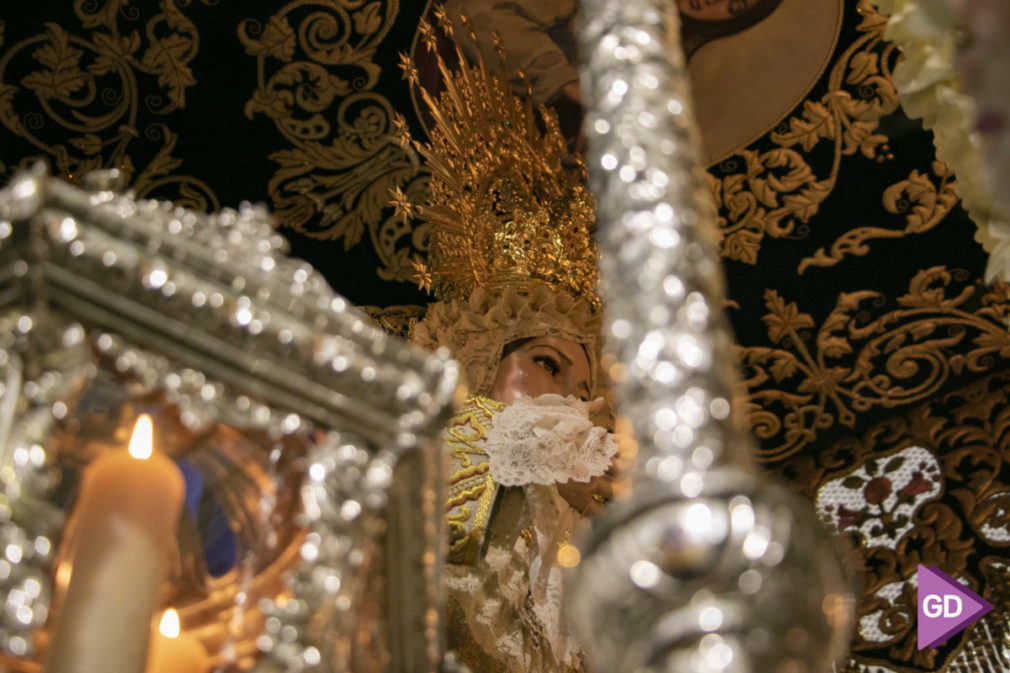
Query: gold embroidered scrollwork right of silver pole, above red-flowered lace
{"points": [[809, 382]]}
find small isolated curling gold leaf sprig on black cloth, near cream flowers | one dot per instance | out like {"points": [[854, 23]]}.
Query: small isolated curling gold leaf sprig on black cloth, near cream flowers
{"points": [[925, 204]]}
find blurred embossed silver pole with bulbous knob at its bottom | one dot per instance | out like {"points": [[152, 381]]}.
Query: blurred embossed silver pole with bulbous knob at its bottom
{"points": [[706, 568]]}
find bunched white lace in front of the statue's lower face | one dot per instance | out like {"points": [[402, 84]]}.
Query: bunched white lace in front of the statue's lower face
{"points": [[548, 440]]}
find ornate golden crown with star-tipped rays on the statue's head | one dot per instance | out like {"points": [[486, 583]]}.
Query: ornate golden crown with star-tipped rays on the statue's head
{"points": [[507, 203]]}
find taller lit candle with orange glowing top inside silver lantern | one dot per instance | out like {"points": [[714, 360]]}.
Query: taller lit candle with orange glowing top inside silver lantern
{"points": [[128, 510]]}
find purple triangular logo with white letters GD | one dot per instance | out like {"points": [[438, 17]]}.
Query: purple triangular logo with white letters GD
{"points": [[946, 607]]}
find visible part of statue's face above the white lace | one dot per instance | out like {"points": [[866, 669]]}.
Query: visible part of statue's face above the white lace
{"points": [[540, 366]]}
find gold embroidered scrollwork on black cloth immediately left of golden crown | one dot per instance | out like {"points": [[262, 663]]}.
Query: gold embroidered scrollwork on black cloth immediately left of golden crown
{"points": [[317, 82]]}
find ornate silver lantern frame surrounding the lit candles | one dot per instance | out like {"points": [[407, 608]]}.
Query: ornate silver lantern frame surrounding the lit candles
{"points": [[109, 303]]}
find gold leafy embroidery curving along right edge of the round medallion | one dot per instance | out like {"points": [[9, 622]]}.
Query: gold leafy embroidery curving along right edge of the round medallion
{"points": [[777, 193]]}
